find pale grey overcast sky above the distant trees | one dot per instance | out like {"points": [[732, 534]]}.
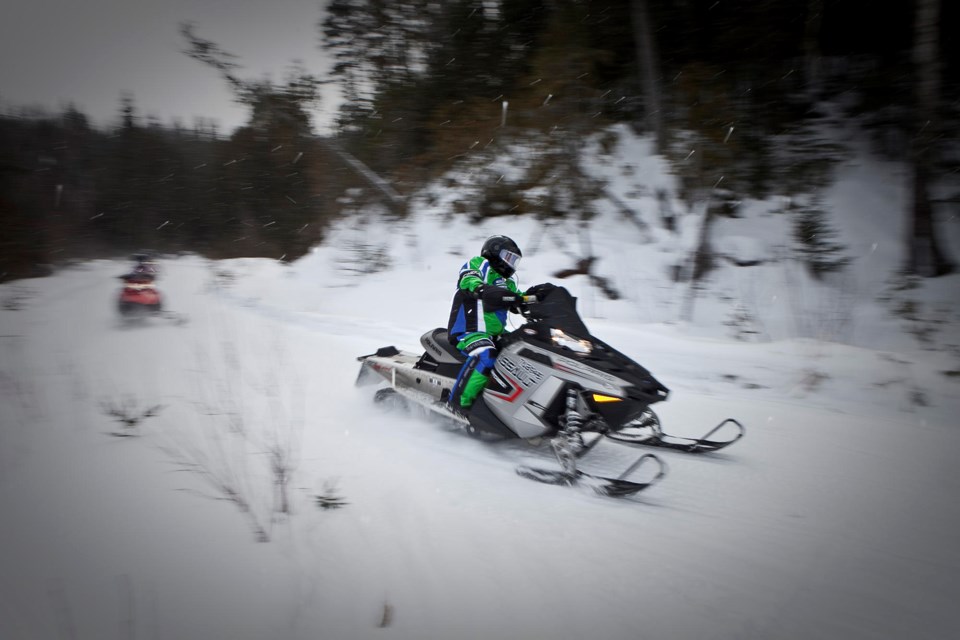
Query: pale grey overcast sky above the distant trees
{"points": [[90, 52]]}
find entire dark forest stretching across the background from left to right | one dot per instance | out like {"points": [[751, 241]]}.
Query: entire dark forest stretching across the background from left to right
{"points": [[428, 84]]}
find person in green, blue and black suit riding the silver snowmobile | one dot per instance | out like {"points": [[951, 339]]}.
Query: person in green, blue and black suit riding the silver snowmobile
{"points": [[486, 291]]}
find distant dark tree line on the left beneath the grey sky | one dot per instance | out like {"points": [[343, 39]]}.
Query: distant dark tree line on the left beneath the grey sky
{"points": [[70, 191]]}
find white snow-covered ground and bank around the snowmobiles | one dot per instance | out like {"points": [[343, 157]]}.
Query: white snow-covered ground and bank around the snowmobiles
{"points": [[835, 517]]}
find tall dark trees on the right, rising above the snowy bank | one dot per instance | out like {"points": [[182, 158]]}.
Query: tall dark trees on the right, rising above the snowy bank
{"points": [[426, 81]]}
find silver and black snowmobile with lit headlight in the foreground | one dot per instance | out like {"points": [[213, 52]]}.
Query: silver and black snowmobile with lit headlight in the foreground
{"points": [[552, 379]]}
